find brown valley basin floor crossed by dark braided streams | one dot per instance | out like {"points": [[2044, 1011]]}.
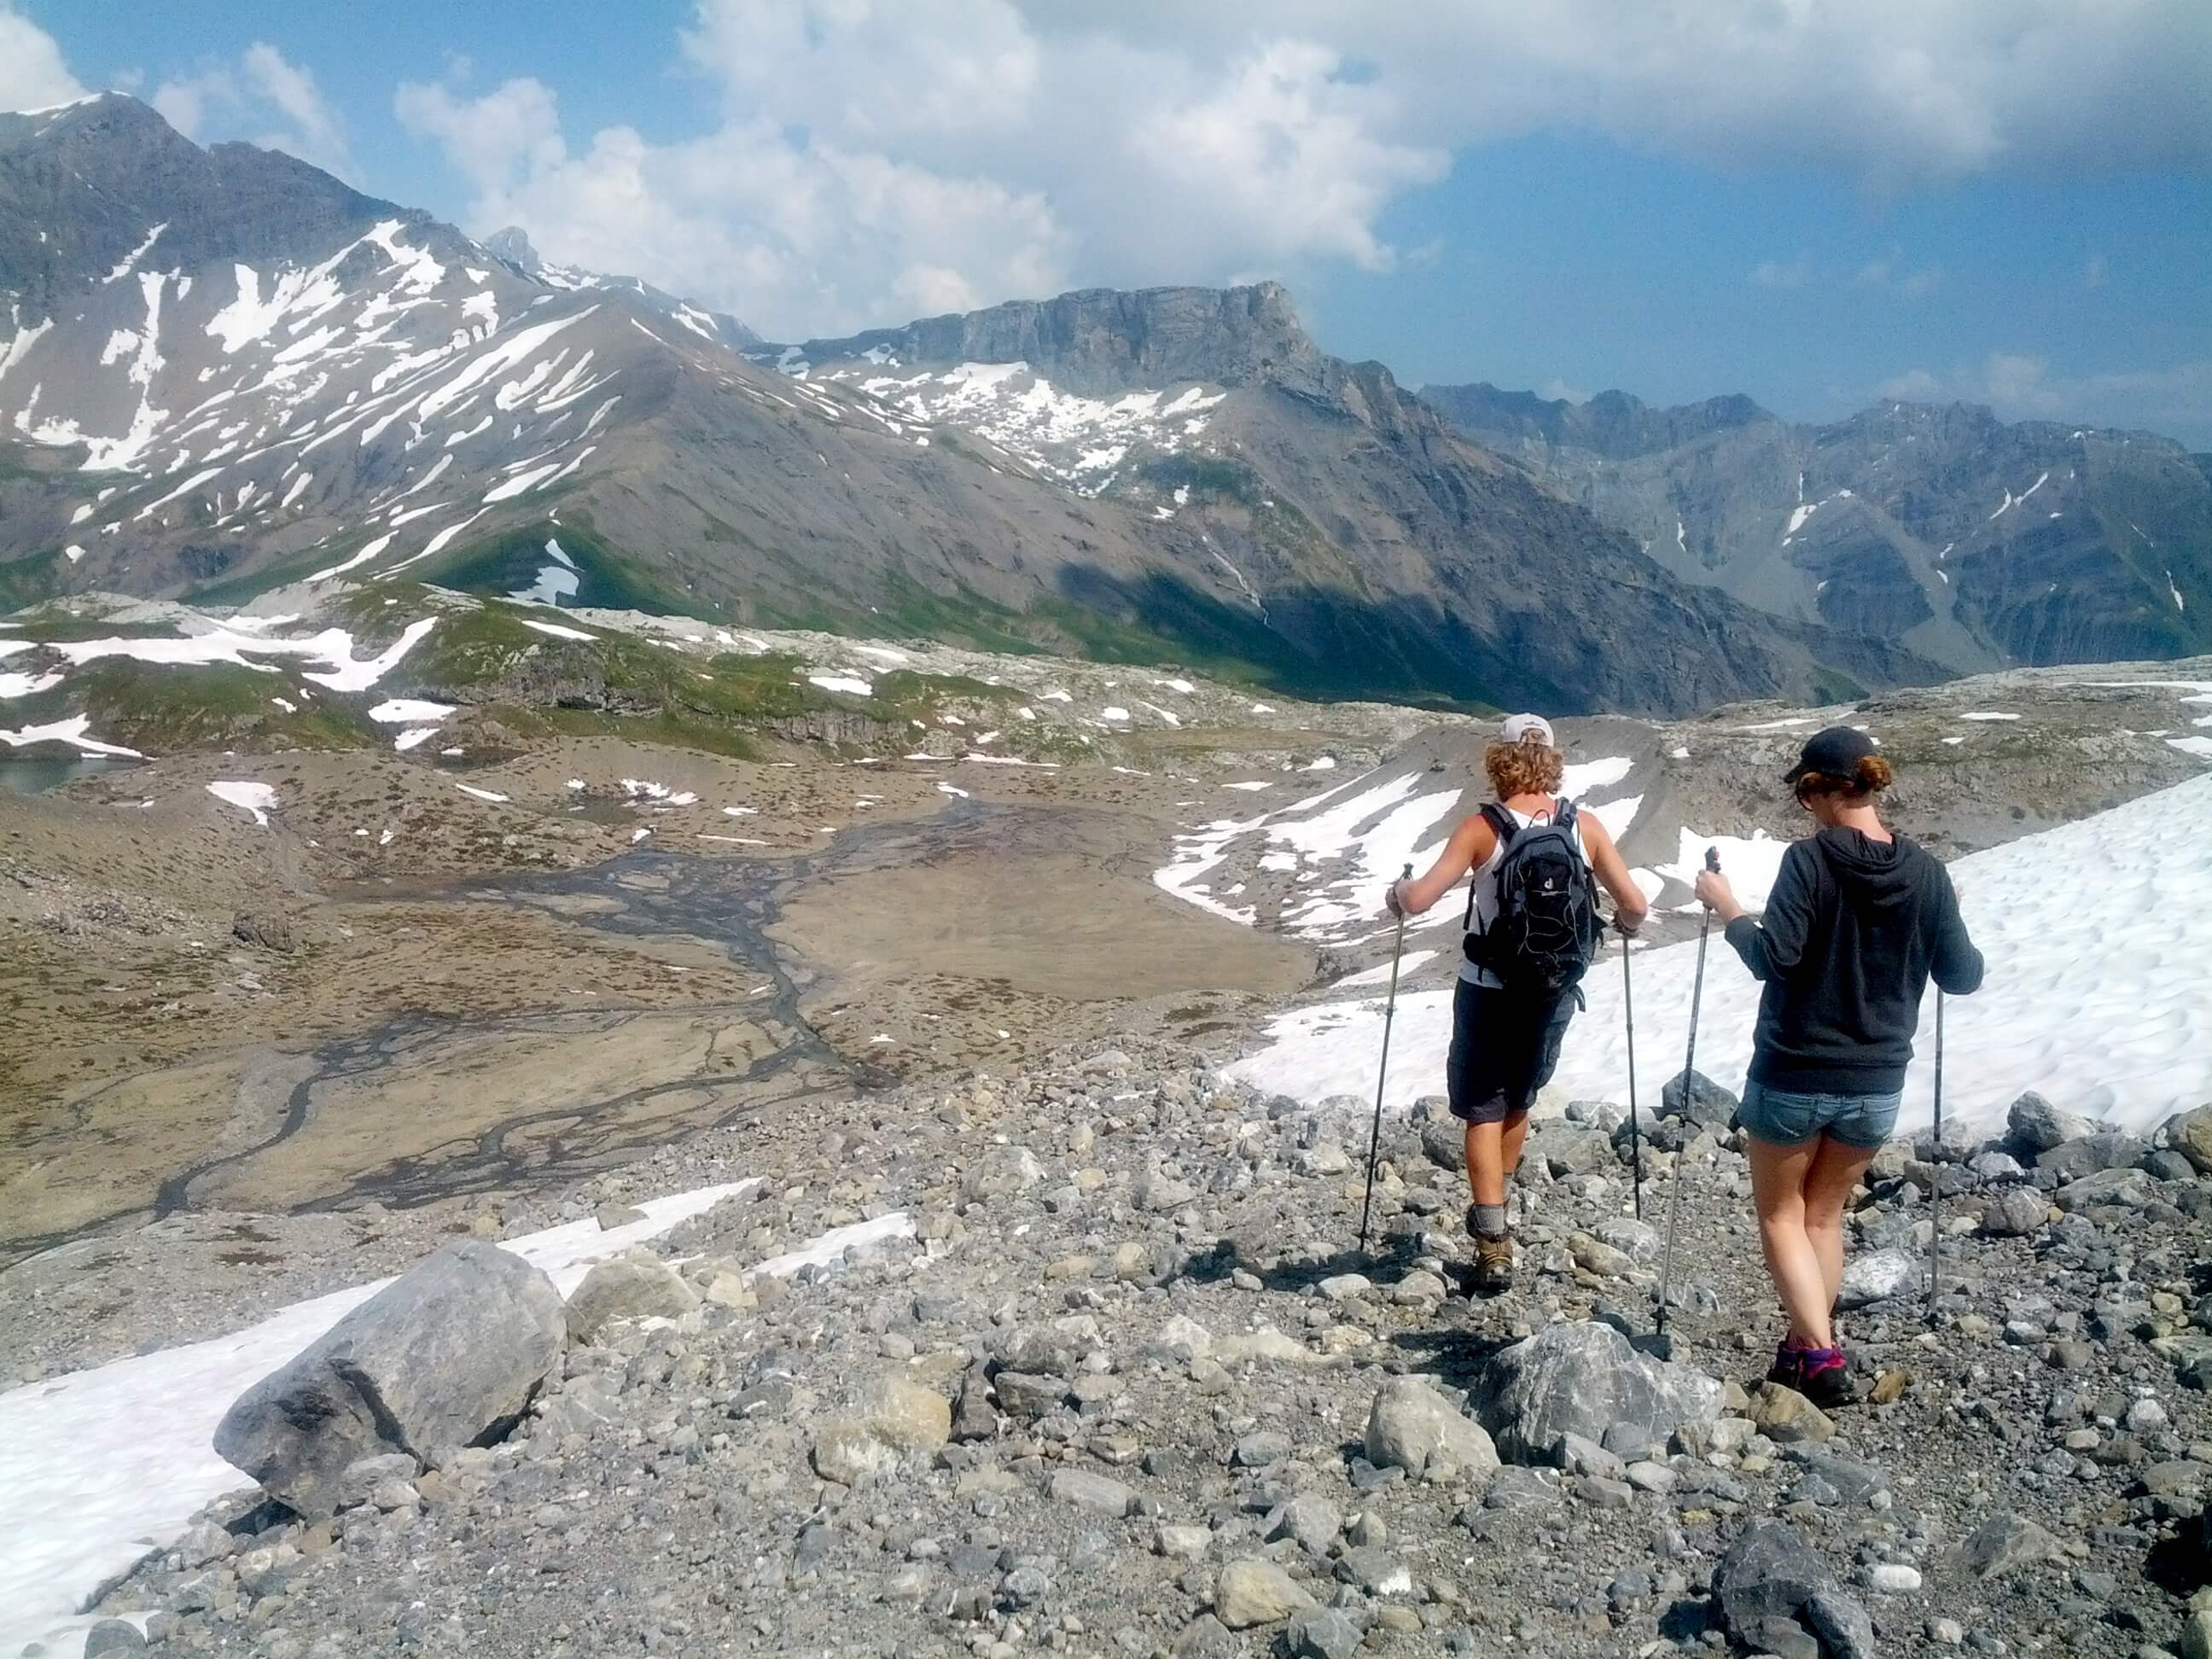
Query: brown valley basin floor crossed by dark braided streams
{"points": [[209, 1012]]}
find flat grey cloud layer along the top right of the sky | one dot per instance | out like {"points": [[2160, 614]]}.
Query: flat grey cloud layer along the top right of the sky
{"points": [[1890, 92]]}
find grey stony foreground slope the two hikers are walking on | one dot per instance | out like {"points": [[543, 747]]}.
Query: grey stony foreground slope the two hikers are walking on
{"points": [[1134, 1390]]}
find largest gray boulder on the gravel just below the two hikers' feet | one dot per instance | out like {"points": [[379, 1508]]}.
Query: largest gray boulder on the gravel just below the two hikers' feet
{"points": [[1583, 1379]]}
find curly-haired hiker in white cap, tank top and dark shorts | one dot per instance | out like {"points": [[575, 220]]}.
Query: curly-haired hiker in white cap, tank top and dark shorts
{"points": [[1505, 1041]]}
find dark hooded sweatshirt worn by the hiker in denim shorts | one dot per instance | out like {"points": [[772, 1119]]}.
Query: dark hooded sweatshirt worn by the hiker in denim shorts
{"points": [[1853, 932]]}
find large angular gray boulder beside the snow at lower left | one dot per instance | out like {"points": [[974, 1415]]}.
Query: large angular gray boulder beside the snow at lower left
{"points": [[448, 1355]]}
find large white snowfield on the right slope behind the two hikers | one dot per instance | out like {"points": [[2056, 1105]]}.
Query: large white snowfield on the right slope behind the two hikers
{"points": [[2096, 937]]}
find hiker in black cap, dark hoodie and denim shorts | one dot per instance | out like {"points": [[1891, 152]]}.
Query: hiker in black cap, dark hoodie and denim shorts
{"points": [[1855, 928]]}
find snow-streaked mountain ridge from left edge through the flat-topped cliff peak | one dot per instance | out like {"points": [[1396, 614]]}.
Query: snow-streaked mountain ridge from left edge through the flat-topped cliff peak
{"points": [[225, 371]]}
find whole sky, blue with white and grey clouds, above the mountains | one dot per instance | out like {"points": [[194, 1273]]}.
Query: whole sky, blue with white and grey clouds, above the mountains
{"points": [[1817, 205]]}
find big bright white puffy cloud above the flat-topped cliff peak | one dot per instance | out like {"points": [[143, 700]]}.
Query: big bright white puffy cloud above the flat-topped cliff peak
{"points": [[881, 160]]}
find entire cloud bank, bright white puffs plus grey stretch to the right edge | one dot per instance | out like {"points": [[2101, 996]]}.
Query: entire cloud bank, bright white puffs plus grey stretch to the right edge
{"points": [[1156, 140]]}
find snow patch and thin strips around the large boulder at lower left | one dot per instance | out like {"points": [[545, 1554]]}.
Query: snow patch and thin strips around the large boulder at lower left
{"points": [[105, 1465]]}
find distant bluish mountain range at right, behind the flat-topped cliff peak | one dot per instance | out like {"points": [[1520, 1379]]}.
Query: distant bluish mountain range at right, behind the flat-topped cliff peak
{"points": [[1959, 536]]}
